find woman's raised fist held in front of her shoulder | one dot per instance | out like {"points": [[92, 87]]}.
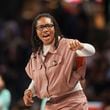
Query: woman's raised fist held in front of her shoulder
{"points": [[75, 45]]}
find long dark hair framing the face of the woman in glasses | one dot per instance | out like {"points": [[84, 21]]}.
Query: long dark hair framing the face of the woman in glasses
{"points": [[36, 42]]}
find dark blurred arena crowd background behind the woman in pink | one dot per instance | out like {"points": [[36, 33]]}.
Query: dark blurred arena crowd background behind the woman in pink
{"points": [[86, 20]]}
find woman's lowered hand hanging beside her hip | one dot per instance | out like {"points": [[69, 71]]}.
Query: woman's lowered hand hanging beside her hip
{"points": [[27, 98]]}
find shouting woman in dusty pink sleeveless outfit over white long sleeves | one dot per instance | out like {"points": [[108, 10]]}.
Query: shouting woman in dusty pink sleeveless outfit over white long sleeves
{"points": [[56, 66]]}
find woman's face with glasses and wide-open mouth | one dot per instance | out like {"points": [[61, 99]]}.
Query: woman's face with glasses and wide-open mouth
{"points": [[45, 30]]}
